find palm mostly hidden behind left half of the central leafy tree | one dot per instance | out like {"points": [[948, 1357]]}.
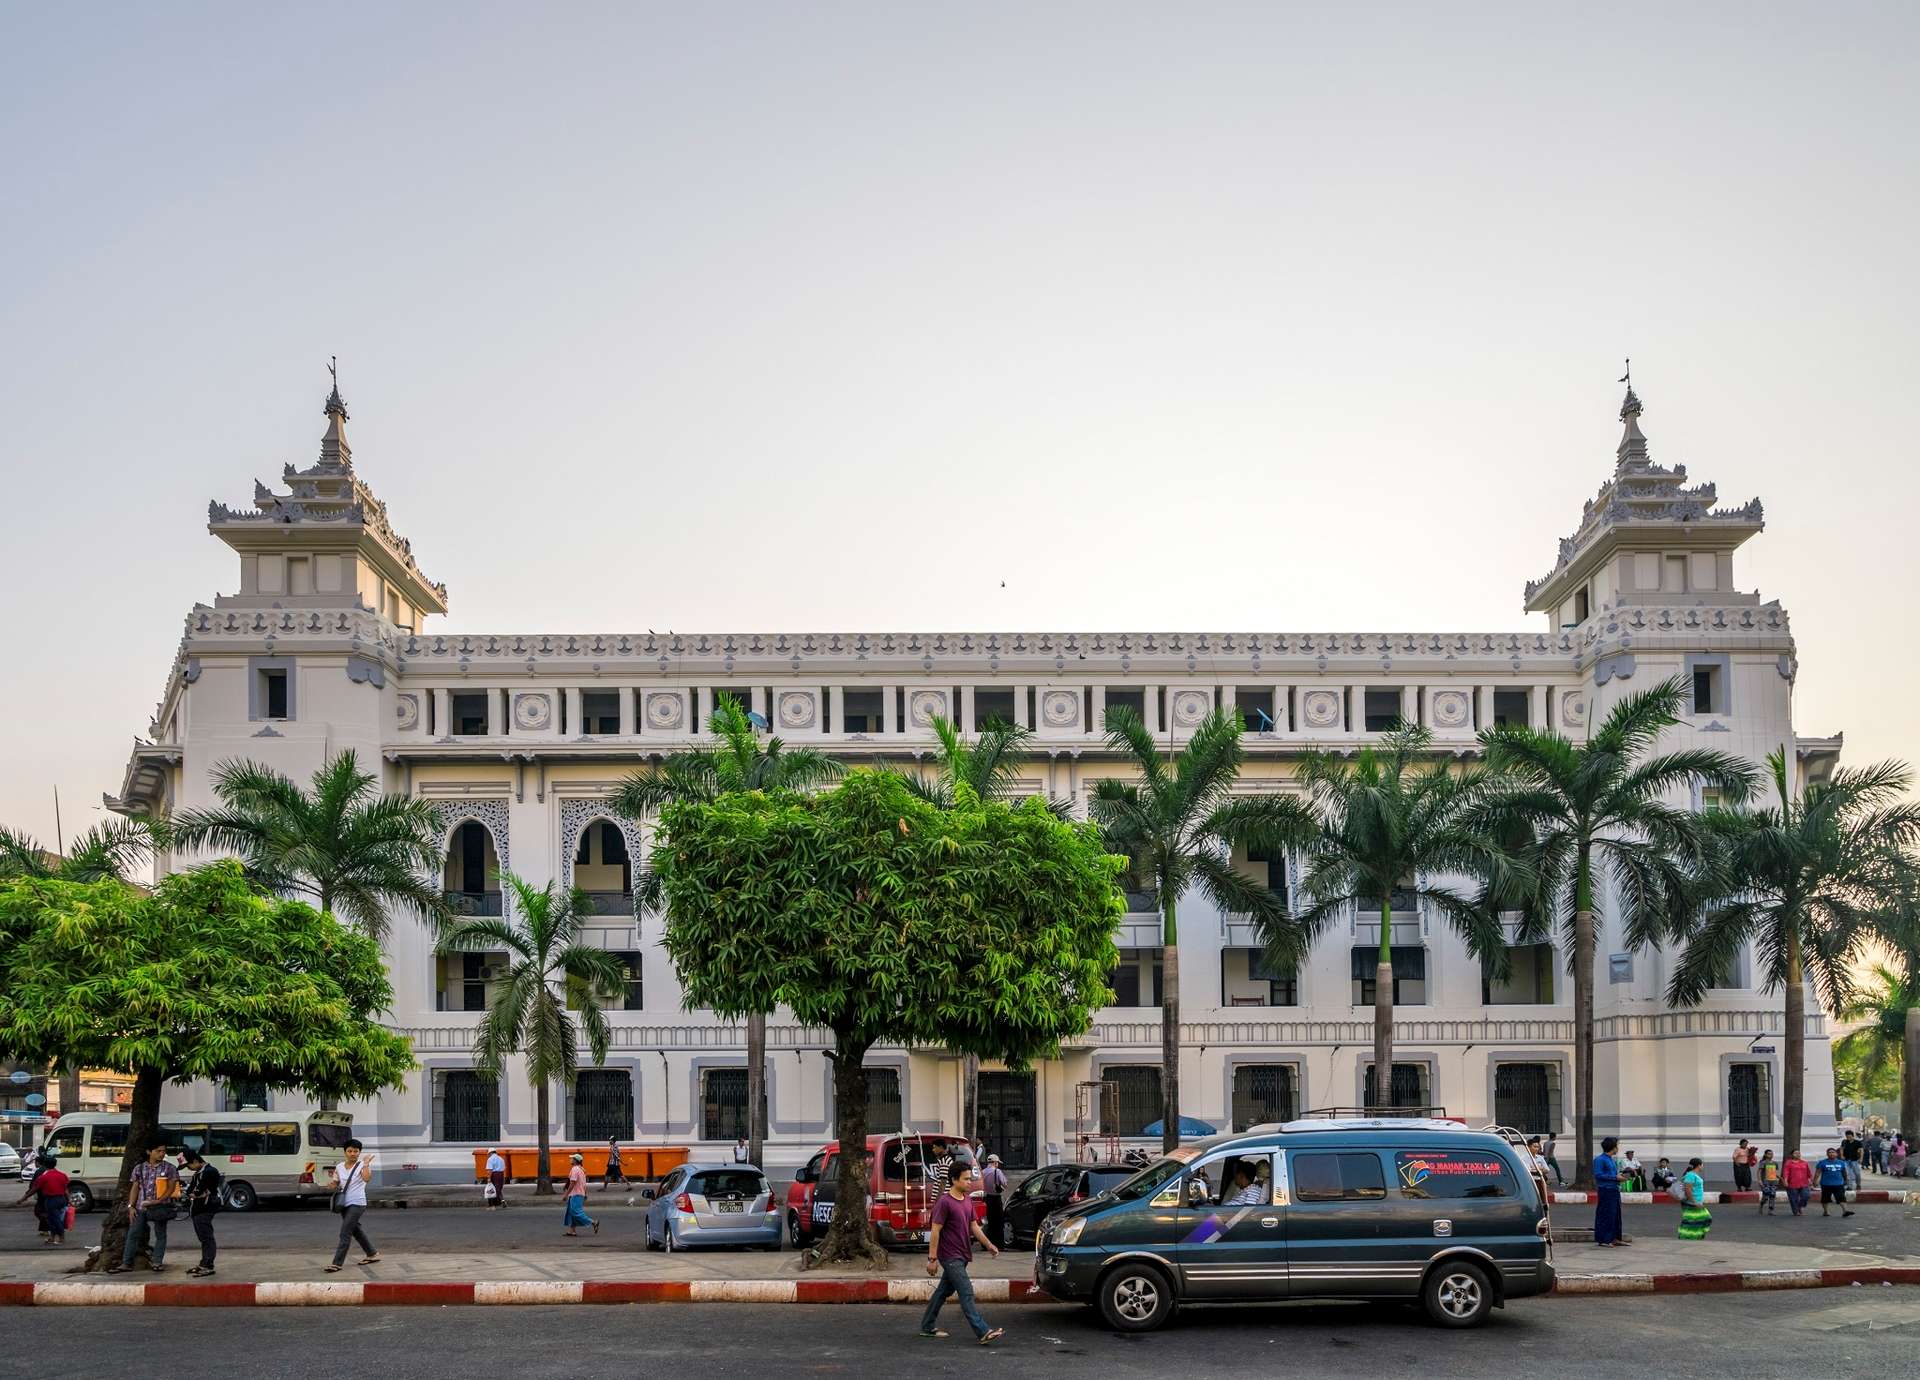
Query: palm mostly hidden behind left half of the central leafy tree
{"points": [[734, 761]]}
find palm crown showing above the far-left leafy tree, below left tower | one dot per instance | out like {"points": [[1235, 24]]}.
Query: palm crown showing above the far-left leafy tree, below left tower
{"points": [[358, 853]]}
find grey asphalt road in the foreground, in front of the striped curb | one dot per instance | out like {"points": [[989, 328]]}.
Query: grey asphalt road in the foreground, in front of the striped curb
{"points": [[1740, 1337]]}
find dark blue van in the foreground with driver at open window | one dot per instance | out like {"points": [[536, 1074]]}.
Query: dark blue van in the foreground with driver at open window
{"points": [[1368, 1208]]}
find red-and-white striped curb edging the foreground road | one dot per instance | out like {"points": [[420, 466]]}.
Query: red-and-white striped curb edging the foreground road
{"points": [[546, 1293]]}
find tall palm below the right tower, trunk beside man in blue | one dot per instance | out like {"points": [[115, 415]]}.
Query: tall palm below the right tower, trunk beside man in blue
{"points": [[1600, 807]]}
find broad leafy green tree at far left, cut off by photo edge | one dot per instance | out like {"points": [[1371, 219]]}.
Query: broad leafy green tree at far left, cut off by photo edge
{"points": [[201, 980]]}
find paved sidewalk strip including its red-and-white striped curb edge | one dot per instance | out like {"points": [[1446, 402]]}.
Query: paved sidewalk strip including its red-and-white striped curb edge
{"points": [[1654, 1264]]}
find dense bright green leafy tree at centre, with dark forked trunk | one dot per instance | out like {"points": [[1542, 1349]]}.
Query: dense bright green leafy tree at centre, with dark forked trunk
{"points": [[886, 920]]}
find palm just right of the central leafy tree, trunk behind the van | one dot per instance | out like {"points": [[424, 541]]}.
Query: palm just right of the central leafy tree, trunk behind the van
{"points": [[1178, 824]]}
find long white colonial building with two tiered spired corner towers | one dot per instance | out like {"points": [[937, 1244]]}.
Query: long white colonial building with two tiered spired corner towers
{"points": [[329, 642]]}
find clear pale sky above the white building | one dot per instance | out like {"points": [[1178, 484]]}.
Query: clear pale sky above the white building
{"points": [[838, 318]]}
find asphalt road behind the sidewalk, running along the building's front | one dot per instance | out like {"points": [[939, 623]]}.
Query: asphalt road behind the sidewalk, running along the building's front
{"points": [[537, 1224]]}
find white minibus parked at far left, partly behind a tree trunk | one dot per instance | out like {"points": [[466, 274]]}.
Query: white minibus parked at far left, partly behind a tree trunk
{"points": [[262, 1154]]}
